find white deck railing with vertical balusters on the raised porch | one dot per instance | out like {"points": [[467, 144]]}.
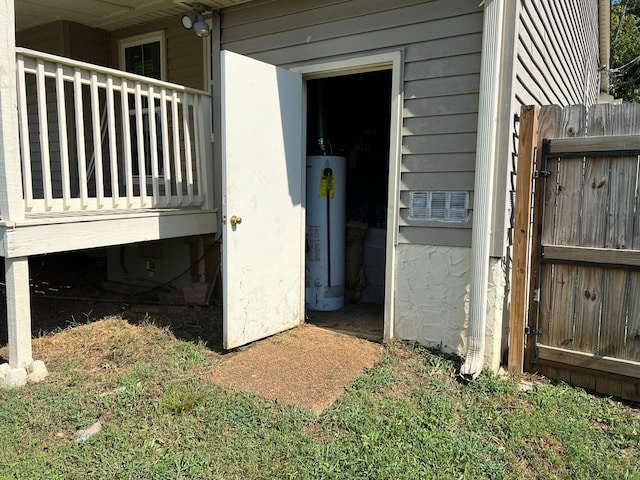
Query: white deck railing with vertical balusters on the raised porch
{"points": [[95, 138]]}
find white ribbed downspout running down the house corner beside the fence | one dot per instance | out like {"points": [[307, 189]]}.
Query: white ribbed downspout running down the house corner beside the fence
{"points": [[486, 148]]}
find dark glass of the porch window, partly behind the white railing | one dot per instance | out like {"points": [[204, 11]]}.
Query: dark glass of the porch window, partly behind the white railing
{"points": [[144, 55]]}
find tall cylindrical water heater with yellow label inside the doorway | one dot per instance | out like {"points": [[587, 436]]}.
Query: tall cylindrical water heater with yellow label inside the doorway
{"points": [[325, 234]]}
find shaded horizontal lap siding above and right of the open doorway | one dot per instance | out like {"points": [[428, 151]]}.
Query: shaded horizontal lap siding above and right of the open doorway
{"points": [[441, 41]]}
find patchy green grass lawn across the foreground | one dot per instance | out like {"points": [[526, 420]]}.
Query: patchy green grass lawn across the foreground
{"points": [[407, 418]]}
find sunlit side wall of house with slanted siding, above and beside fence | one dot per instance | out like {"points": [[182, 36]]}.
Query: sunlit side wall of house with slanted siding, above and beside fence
{"points": [[555, 59]]}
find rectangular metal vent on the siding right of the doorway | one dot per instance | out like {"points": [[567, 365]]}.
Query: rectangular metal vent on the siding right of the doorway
{"points": [[439, 206]]}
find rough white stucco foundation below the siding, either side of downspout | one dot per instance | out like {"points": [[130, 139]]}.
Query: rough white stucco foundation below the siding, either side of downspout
{"points": [[432, 299]]}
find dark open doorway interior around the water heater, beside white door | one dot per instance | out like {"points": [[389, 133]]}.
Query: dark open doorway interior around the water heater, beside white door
{"points": [[349, 116]]}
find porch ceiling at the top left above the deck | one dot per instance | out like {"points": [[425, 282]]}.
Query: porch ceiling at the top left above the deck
{"points": [[106, 14]]}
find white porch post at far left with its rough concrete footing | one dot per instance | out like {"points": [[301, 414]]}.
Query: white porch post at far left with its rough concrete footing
{"points": [[21, 365]]}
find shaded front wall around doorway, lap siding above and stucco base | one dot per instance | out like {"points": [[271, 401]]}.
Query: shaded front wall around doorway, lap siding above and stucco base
{"points": [[441, 44]]}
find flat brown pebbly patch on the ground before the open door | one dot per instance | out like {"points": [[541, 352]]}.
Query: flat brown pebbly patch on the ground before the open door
{"points": [[307, 366]]}
